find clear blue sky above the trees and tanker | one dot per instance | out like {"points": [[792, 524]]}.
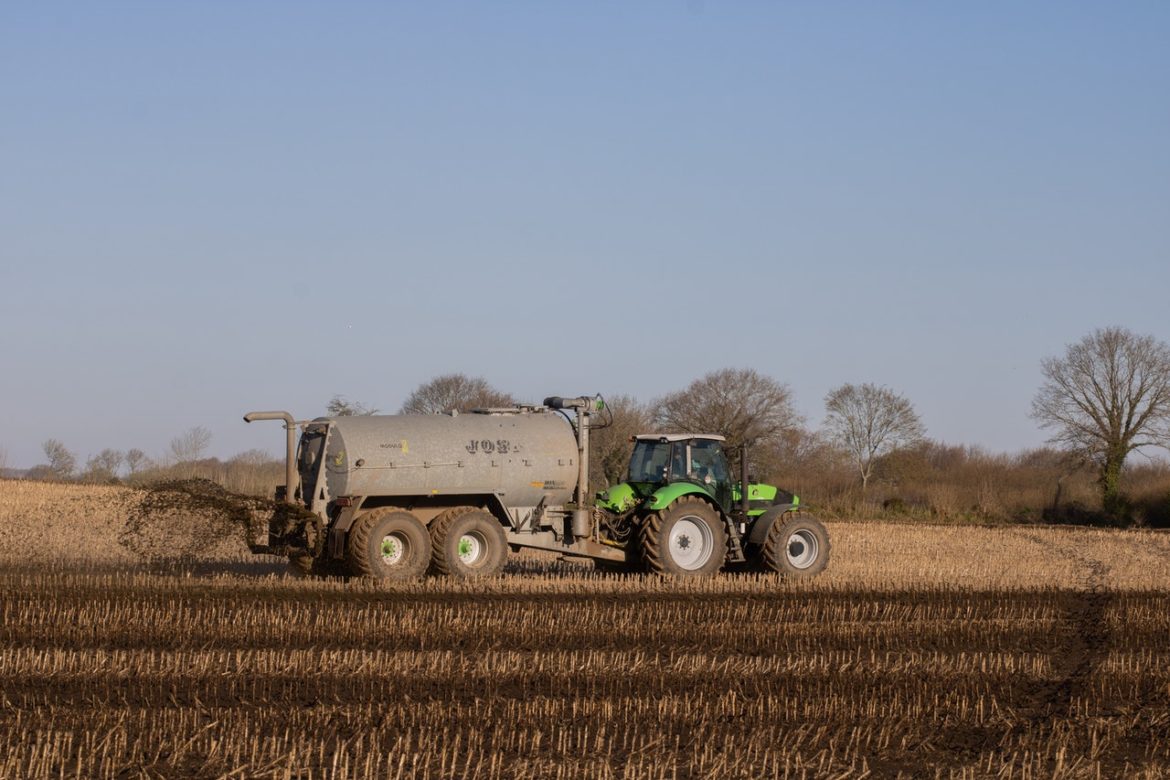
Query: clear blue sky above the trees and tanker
{"points": [[215, 208]]}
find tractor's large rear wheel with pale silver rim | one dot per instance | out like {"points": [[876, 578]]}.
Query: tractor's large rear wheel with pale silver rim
{"points": [[686, 539]]}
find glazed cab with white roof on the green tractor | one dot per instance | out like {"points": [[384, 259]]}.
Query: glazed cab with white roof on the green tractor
{"points": [[660, 460]]}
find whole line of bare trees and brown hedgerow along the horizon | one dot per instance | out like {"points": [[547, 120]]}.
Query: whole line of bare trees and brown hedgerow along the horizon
{"points": [[1106, 398]]}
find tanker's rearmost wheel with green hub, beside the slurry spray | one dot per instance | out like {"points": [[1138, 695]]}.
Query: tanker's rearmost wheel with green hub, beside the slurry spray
{"points": [[389, 544]]}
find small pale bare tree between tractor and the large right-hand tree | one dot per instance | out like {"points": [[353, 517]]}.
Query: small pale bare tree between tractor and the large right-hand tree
{"points": [[870, 422]]}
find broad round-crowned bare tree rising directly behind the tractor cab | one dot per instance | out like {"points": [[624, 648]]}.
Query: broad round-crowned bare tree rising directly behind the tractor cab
{"points": [[740, 404]]}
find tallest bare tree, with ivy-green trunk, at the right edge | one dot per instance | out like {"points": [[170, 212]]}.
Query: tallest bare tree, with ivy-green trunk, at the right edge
{"points": [[1106, 398]]}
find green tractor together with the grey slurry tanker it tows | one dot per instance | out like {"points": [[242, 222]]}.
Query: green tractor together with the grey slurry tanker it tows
{"points": [[395, 496]]}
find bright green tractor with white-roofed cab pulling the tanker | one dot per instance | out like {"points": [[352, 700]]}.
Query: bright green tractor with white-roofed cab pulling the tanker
{"points": [[682, 513]]}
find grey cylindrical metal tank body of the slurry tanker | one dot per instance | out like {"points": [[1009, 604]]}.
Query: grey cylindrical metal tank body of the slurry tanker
{"points": [[522, 457]]}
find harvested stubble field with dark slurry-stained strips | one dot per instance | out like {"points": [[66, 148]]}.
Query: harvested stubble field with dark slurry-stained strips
{"points": [[166, 652]]}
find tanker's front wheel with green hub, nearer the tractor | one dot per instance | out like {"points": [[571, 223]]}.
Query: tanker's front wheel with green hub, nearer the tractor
{"points": [[467, 543]]}
